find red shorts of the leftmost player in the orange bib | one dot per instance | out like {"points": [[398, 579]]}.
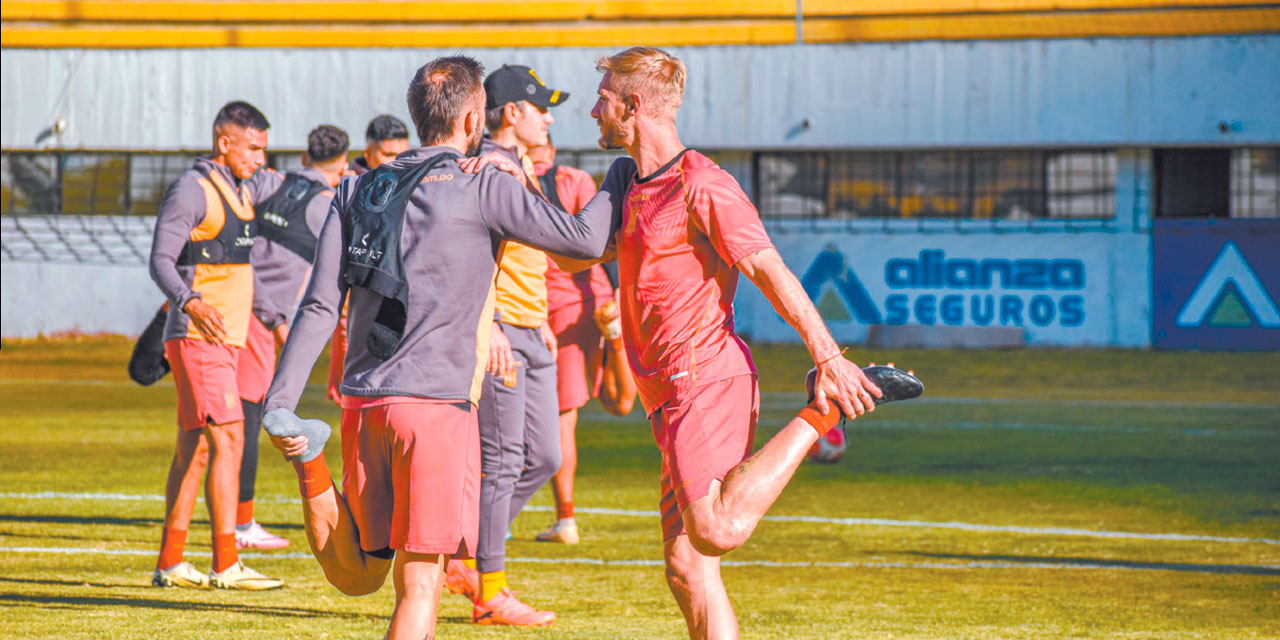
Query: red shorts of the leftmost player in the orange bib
{"points": [[205, 377]]}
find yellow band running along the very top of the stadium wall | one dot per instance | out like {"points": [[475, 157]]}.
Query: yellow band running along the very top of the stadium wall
{"points": [[510, 24]]}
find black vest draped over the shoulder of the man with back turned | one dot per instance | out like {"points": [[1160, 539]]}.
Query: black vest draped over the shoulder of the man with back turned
{"points": [[373, 227]]}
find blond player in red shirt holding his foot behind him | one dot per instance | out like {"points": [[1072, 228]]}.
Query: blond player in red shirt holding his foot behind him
{"points": [[688, 230]]}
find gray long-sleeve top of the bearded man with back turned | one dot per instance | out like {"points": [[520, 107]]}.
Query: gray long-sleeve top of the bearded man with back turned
{"points": [[455, 227]]}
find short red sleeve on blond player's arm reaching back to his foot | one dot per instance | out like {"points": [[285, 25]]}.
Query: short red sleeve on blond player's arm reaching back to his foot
{"points": [[721, 211]]}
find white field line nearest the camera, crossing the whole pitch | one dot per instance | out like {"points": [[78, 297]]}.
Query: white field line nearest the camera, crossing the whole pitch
{"points": [[1100, 565]]}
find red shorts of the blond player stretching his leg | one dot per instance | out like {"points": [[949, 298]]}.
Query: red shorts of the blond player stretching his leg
{"points": [[703, 437]]}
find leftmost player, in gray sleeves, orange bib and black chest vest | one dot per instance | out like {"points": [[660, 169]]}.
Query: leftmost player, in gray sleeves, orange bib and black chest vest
{"points": [[200, 259]]}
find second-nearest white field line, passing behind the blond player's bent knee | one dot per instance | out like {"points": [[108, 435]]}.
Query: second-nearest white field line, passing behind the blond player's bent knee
{"points": [[886, 523]]}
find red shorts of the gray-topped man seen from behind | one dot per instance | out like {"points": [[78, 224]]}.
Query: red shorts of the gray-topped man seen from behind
{"points": [[422, 497]]}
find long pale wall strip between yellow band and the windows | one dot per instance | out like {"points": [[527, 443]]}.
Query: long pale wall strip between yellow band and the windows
{"points": [[885, 95]]}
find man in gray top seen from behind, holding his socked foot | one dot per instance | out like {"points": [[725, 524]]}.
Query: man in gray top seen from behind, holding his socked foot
{"points": [[417, 504]]}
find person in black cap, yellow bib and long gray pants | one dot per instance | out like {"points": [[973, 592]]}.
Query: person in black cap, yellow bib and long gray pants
{"points": [[519, 410]]}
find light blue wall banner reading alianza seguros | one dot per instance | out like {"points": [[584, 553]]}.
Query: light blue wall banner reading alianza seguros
{"points": [[1062, 289]]}
